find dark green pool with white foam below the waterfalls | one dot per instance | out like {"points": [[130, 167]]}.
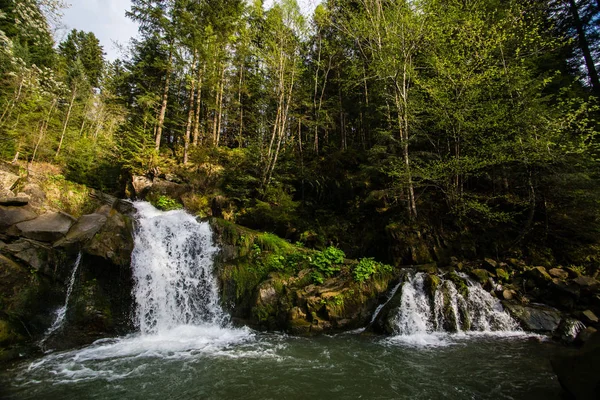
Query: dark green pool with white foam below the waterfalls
{"points": [[208, 362]]}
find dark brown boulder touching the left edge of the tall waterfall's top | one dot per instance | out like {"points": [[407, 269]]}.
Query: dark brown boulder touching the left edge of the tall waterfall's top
{"points": [[114, 241]]}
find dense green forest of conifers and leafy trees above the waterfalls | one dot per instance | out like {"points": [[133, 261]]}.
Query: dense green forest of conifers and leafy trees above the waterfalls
{"points": [[469, 125]]}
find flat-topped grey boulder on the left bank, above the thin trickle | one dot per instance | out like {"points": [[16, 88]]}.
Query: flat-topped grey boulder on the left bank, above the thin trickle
{"points": [[49, 227]]}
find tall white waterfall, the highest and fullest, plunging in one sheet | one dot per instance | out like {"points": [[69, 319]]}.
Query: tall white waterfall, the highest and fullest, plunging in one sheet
{"points": [[172, 267]]}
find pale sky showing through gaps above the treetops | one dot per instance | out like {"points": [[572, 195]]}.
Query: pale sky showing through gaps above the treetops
{"points": [[106, 18]]}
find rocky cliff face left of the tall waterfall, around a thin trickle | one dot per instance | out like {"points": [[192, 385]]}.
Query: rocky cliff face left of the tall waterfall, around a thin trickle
{"points": [[39, 249]]}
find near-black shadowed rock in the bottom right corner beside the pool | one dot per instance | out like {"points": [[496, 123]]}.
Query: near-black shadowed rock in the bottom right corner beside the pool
{"points": [[578, 374]]}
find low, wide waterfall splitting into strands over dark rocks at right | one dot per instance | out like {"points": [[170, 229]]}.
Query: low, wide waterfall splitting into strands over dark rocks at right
{"points": [[446, 308]]}
